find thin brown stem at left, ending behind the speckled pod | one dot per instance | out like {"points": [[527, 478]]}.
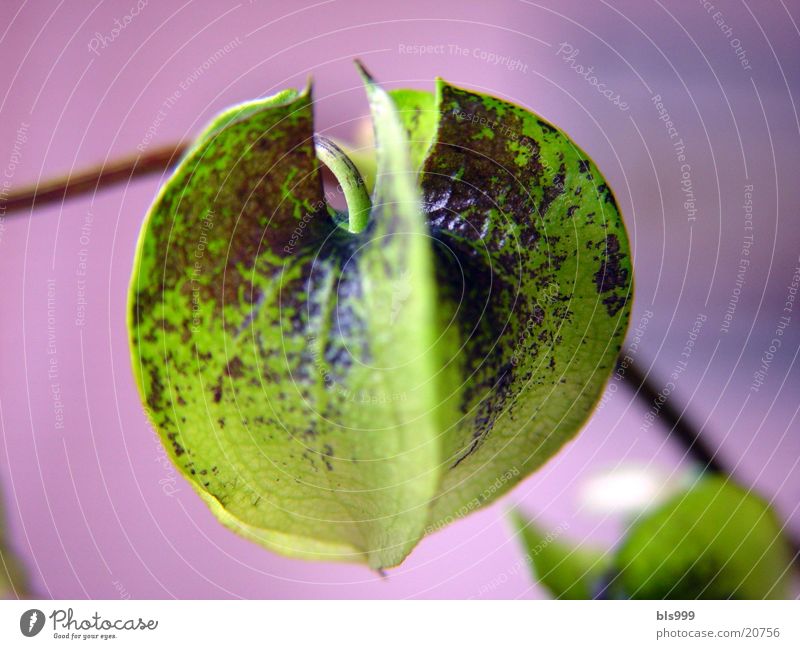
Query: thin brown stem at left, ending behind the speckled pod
{"points": [[93, 179]]}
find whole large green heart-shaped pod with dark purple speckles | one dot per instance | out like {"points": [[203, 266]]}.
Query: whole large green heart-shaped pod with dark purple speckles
{"points": [[336, 386]]}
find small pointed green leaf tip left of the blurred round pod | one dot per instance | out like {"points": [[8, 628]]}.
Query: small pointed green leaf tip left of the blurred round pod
{"points": [[567, 572]]}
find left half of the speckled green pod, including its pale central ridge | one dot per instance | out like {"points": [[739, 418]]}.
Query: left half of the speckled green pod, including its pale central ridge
{"points": [[287, 363]]}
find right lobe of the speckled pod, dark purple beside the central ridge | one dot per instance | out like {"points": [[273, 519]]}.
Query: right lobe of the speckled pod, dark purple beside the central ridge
{"points": [[535, 265]]}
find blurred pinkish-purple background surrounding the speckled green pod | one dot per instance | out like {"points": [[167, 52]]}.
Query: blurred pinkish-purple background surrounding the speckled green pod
{"points": [[93, 507]]}
